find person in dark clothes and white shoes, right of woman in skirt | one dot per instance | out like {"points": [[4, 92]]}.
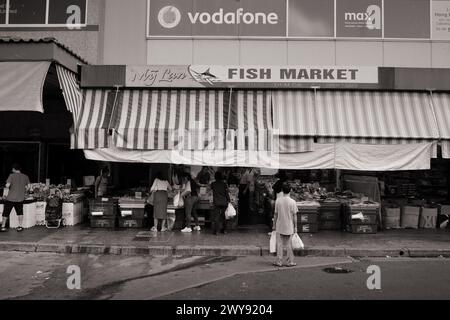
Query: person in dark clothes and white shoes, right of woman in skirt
{"points": [[190, 195]]}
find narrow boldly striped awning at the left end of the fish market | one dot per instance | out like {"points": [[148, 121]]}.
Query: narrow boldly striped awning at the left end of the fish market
{"points": [[92, 122]]}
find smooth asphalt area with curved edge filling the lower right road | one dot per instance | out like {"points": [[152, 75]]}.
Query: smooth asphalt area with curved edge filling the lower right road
{"points": [[427, 279]]}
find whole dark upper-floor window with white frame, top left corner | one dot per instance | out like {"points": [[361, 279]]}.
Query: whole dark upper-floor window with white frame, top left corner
{"points": [[43, 12]]}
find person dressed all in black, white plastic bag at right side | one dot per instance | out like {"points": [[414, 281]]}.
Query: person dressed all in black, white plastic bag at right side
{"points": [[221, 199]]}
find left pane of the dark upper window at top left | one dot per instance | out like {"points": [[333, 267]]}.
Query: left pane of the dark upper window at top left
{"points": [[27, 11]]}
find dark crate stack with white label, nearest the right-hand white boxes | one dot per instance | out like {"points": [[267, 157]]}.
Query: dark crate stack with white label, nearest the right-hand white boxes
{"points": [[369, 221]]}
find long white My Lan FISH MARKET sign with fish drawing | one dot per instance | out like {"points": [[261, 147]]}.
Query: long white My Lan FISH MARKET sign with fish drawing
{"points": [[201, 76]]}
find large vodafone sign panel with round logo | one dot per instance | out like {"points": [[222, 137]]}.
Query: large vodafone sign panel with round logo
{"points": [[196, 18]]}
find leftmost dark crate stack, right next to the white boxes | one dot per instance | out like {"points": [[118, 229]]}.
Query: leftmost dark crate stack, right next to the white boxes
{"points": [[103, 212]]}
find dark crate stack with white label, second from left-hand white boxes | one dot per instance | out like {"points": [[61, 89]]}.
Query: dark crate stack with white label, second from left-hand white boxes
{"points": [[132, 212]]}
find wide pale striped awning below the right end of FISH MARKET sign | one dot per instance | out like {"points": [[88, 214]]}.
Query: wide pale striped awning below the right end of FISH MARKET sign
{"points": [[395, 115]]}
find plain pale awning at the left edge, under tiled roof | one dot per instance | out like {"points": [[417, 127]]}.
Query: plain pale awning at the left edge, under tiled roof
{"points": [[21, 85]]}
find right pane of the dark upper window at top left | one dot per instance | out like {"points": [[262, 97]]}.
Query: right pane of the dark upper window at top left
{"points": [[67, 11]]}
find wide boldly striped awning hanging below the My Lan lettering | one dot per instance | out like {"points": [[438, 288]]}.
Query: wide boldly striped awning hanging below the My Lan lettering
{"points": [[192, 120]]}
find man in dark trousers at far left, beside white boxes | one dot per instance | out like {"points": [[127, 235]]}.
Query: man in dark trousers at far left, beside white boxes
{"points": [[16, 187]]}
